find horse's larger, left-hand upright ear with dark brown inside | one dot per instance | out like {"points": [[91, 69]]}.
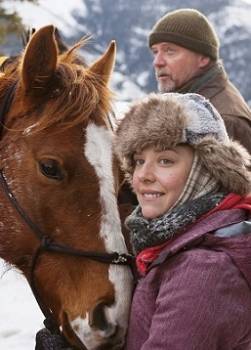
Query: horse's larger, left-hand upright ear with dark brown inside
{"points": [[39, 61]]}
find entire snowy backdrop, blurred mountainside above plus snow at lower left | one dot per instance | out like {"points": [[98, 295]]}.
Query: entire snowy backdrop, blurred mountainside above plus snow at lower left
{"points": [[128, 22]]}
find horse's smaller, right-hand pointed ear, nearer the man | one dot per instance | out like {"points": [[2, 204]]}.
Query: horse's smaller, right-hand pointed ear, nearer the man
{"points": [[104, 65]]}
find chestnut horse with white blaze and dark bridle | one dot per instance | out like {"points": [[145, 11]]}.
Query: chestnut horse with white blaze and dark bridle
{"points": [[60, 223]]}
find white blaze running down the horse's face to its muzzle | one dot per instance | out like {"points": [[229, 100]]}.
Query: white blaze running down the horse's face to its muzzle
{"points": [[98, 151]]}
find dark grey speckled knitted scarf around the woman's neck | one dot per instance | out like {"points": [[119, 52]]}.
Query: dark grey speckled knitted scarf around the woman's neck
{"points": [[146, 233]]}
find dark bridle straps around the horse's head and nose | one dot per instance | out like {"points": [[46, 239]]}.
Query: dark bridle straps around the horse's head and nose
{"points": [[46, 243]]}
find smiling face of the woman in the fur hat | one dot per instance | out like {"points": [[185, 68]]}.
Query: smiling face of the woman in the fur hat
{"points": [[160, 177]]}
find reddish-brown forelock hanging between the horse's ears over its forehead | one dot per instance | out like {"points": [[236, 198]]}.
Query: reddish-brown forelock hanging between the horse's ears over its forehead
{"points": [[77, 95]]}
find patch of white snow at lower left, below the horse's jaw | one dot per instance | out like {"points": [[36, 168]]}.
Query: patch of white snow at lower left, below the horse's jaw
{"points": [[20, 317]]}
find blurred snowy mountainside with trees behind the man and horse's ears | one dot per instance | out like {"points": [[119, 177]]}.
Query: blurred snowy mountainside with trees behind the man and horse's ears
{"points": [[129, 22]]}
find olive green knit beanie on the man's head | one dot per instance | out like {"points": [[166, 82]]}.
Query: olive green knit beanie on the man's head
{"points": [[188, 28]]}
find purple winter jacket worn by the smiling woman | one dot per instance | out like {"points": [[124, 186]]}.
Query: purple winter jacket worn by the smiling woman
{"points": [[197, 294]]}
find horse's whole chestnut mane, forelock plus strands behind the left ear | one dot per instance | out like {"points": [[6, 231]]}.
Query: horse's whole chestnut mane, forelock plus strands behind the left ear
{"points": [[76, 93]]}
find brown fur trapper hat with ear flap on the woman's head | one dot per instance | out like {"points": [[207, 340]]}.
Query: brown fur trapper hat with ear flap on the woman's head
{"points": [[167, 120]]}
